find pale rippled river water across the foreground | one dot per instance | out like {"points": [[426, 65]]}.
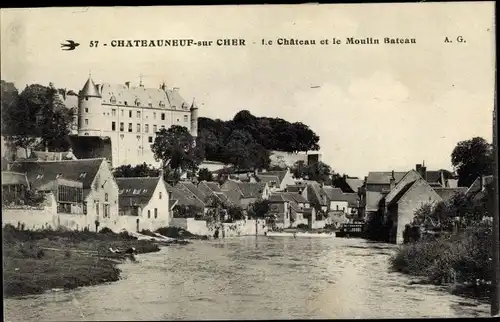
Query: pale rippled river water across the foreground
{"points": [[251, 278]]}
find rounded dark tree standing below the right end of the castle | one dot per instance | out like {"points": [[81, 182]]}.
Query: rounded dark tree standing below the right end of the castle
{"points": [[175, 149]]}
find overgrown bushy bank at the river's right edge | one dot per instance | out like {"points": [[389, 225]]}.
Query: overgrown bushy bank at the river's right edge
{"points": [[461, 261]]}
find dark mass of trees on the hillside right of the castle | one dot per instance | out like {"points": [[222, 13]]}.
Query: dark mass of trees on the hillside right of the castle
{"points": [[246, 140]]}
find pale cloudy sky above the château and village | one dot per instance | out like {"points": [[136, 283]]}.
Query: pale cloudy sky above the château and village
{"points": [[375, 107]]}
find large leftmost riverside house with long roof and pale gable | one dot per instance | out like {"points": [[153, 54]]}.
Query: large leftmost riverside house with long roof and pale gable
{"points": [[99, 188]]}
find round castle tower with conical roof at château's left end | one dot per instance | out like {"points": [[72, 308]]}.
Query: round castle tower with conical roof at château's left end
{"points": [[89, 110]]}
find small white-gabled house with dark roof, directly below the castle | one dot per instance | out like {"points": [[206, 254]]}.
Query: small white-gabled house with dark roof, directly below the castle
{"points": [[146, 198]]}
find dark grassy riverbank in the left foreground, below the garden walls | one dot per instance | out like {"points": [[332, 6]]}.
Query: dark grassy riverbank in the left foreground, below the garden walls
{"points": [[37, 261]]}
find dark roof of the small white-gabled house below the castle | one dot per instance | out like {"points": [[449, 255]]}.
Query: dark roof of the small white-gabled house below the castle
{"points": [[136, 191]]}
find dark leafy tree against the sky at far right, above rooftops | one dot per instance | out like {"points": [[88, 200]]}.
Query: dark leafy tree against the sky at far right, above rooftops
{"points": [[472, 158]]}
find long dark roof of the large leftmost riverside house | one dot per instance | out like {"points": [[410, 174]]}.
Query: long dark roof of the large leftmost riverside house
{"points": [[83, 170]]}
